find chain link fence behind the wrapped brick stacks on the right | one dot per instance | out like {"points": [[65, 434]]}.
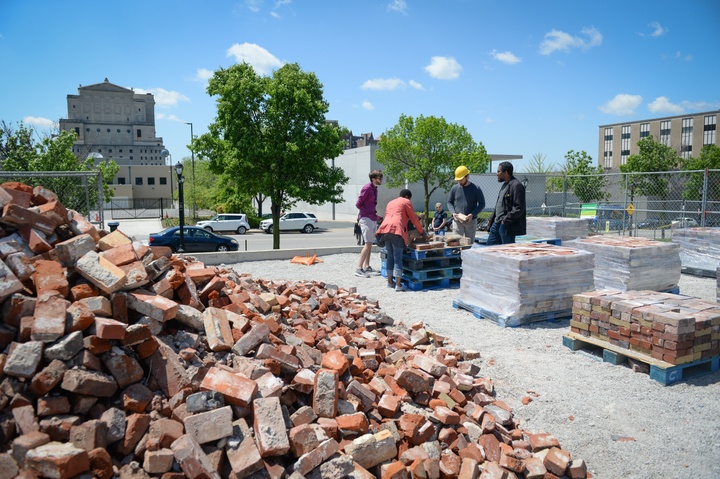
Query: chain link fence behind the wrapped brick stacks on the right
{"points": [[638, 204]]}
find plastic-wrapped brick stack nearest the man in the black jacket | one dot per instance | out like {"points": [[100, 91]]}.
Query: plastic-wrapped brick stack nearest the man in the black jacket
{"points": [[522, 282]]}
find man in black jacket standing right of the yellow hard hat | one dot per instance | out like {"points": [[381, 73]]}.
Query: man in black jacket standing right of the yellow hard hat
{"points": [[509, 219]]}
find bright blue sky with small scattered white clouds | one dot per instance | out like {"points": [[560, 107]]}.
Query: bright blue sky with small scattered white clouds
{"points": [[524, 77]]}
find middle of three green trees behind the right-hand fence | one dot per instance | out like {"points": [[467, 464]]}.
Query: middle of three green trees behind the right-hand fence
{"points": [[652, 156]]}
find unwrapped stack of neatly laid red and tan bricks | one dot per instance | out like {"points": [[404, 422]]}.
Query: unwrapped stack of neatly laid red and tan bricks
{"points": [[672, 328]]}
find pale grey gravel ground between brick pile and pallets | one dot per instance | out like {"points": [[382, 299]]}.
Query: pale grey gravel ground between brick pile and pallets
{"points": [[622, 423]]}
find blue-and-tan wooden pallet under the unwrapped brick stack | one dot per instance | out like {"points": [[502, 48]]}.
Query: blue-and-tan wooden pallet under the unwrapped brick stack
{"points": [[660, 371]]}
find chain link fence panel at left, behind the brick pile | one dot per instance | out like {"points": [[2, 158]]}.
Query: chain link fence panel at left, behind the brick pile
{"points": [[77, 190]]}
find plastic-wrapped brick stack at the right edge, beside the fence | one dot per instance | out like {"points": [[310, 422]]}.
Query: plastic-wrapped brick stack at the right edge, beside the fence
{"points": [[699, 248]]}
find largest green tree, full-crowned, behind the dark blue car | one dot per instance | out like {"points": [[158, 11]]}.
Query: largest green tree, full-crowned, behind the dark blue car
{"points": [[271, 137]]}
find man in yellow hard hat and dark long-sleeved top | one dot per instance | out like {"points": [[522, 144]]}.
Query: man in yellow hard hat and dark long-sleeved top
{"points": [[465, 202]]}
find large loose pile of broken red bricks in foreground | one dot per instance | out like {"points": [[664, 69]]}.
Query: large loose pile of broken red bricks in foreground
{"points": [[120, 360]]}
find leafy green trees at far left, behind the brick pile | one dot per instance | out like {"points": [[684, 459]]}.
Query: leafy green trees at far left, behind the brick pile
{"points": [[20, 152]]}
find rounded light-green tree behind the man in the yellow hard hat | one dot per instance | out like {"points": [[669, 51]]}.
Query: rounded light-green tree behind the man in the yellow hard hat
{"points": [[428, 149]]}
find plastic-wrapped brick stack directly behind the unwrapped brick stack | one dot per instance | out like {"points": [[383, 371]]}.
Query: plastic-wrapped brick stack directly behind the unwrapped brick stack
{"points": [[627, 263]]}
